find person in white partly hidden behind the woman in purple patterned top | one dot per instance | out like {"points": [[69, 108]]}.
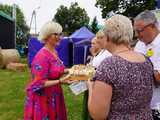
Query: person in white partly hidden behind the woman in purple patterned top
{"points": [[102, 54]]}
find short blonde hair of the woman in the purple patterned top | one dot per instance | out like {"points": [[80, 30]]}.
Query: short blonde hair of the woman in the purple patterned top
{"points": [[119, 29]]}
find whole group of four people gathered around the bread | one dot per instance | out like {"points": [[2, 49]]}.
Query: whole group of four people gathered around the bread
{"points": [[125, 85]]}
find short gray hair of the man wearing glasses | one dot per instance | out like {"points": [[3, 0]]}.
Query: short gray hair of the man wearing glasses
{"points": [[147, 16]]}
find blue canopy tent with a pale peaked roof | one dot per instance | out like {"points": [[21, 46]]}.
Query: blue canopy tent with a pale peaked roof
{"points": [[80, 49]]}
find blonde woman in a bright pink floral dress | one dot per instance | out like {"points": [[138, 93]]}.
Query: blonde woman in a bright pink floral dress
{"points": [[45, 100]]}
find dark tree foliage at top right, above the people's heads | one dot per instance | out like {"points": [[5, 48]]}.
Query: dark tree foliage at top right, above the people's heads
{"points": [[129, 8]]}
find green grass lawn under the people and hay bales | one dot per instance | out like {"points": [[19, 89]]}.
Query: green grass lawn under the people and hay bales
{"points": [[12, 95]]}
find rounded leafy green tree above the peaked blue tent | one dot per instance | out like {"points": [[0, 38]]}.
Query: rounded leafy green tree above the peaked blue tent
{"points": [[71, 18]]}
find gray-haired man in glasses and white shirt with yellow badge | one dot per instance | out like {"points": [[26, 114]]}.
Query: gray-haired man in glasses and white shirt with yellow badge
{"points": [[145, 25]]}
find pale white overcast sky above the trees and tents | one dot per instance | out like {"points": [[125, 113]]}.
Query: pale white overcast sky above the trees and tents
{"points": [[49, 7]]}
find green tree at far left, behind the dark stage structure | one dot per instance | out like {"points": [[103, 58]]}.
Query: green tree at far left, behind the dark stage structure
{"points": [[22, 30]]}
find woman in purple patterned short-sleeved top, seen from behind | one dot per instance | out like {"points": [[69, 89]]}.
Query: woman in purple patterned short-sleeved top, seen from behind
{"points": [[122, 86]]}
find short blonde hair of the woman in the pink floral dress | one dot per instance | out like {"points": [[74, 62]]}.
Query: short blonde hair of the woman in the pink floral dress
{"points": [[48, 29]]}
